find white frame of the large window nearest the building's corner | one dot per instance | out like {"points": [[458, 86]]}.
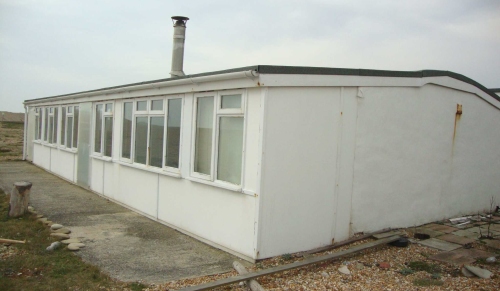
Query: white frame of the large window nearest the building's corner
{"points": [[218, 112]]}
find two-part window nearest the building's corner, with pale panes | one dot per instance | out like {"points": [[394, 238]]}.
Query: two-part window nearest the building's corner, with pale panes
{"points": [[218, 154]]}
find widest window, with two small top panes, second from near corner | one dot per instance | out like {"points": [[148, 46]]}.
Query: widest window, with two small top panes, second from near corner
{"points": [[151, 132]]}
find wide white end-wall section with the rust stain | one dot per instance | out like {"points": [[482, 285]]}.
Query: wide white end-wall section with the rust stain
{"points": [[417, 161]]}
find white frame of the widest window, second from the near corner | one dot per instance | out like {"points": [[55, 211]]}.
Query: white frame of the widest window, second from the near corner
{"points": [[150, 113]]}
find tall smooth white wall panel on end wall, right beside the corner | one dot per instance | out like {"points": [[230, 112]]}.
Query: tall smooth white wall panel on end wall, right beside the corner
{"points": [[299, 169]]}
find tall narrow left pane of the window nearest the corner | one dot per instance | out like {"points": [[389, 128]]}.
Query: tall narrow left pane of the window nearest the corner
{"points": [[204, 130]]}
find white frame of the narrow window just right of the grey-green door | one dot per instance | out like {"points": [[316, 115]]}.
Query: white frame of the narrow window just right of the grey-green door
{"points": [[104, 114]]}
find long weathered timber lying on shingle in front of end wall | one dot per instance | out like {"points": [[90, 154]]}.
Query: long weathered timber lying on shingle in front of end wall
{"points": [[309, 261]]}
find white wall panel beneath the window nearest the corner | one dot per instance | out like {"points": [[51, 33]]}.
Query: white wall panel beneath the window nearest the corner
{"points": [[221, 216]]}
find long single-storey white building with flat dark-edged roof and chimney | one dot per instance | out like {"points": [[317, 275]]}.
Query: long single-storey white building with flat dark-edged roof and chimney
{"points": [[266, 160]]}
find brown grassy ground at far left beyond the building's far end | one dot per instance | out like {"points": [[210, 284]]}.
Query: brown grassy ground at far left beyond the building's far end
{"points": [[11, 140]]}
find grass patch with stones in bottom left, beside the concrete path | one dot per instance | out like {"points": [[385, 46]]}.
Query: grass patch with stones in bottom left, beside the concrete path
{"points": [[30, 267]]}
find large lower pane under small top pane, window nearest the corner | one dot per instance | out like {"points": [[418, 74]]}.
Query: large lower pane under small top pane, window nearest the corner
{"points": [[230, 149]]}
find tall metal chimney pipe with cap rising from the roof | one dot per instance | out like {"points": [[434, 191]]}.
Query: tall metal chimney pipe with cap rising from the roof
{"points": [[178, 48]]}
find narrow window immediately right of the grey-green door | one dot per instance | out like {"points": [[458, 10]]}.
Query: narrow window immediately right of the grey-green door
{"points": [[103, 129]]}
